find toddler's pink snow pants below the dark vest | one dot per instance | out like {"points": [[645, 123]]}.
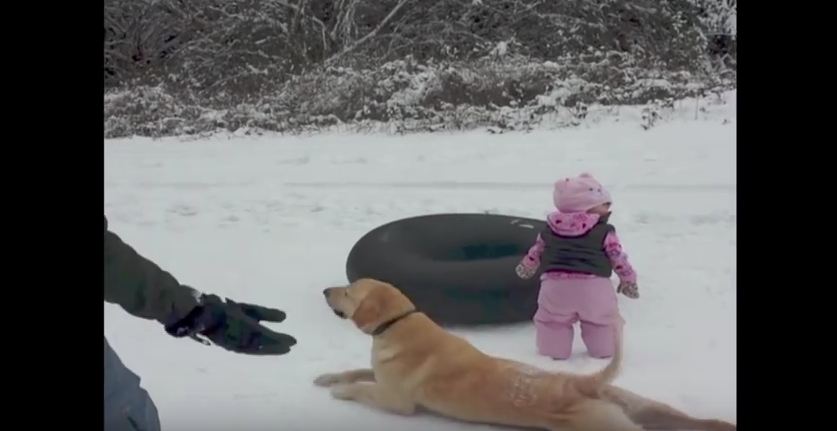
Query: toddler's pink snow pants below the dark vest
{"points": [[562, 302]]}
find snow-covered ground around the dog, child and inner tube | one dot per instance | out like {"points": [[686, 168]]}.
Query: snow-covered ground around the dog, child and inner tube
{"points": [[271, 220]]}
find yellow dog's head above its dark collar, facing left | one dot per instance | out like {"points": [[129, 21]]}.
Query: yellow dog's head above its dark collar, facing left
{"points": [[368, 303]]}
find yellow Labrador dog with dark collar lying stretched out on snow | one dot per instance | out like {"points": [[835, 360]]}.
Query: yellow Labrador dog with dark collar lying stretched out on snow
{"points": [[416, 363]]}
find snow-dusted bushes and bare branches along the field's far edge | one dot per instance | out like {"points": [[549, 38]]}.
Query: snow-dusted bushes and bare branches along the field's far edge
{"points": [[180, 67]]}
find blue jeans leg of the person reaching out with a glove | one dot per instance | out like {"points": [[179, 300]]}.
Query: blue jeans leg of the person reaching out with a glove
{"points": [[127, 405]]}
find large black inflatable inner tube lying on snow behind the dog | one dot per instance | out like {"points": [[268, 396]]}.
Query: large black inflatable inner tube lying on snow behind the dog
{"points": [[457, 268]]}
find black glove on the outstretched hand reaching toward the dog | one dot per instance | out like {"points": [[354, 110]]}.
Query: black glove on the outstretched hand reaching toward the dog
{"points": [[234, 326]]}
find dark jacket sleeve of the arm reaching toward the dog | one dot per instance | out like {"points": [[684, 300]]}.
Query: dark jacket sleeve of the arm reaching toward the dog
{"points": [[140, 286]]}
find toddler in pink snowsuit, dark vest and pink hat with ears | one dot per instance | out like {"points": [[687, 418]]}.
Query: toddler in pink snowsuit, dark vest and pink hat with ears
{"points": [[578, 251]]}
